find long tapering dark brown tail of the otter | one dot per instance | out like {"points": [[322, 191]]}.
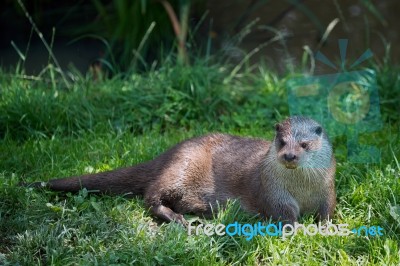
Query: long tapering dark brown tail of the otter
{"points": [[130, 180]]}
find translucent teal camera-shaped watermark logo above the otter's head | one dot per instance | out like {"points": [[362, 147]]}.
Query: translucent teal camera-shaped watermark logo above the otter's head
{"points": [[345, 102]]}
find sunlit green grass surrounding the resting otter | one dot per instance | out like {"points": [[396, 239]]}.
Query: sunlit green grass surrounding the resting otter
{"points": [[48, 131]]}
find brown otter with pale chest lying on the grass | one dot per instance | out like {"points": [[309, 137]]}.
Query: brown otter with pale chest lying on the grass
{"points": [[282, 180]]}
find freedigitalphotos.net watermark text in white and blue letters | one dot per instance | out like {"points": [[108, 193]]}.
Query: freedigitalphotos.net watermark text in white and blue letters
{"points": [[249, 231]]}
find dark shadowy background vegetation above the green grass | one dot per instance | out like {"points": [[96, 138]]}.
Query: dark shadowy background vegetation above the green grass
{"points": [[83, 29]]}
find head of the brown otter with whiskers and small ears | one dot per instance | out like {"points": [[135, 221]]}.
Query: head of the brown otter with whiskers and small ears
{"points": [[302, 142]]}
